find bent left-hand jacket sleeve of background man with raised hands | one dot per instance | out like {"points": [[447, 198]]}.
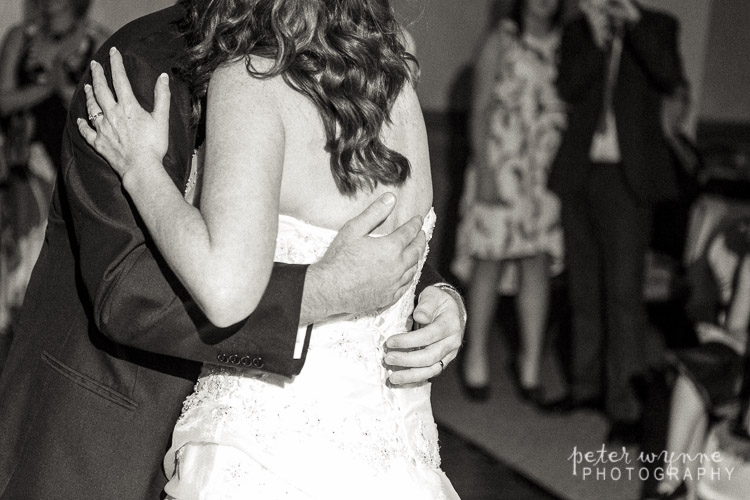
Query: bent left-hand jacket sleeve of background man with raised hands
{"points": [[581, 62]]}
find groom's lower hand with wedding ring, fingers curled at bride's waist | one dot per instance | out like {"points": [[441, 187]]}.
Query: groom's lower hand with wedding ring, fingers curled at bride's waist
{"points": [[424, 353]]}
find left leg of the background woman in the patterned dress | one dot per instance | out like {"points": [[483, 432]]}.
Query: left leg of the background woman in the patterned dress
{"points": [[482, 300]]}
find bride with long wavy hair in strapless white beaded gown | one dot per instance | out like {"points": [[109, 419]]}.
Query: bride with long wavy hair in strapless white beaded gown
{"points": [[311, 115]]}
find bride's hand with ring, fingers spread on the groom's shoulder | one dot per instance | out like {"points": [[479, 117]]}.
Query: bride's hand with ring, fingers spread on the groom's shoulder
{"points": [[118, 128]]}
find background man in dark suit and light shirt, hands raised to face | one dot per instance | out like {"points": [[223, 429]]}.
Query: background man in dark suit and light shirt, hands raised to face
{"points": [[617, 62]]}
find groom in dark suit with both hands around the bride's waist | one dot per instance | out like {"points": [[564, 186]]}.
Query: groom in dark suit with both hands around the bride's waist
{"points": [[109, 344]]}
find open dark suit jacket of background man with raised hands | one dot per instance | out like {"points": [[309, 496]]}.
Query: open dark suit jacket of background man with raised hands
{"points": [[650, 68]]}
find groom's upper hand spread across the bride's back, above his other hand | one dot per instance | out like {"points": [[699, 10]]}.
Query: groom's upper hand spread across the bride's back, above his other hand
{"points": [[361, 273]]}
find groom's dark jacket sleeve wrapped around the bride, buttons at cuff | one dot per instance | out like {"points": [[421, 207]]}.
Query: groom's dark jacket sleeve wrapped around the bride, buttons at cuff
{"points": [[136, 300]]}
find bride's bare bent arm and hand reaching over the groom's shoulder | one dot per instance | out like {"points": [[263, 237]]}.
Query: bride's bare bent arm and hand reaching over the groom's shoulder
{"points": [[223, 254]]}
